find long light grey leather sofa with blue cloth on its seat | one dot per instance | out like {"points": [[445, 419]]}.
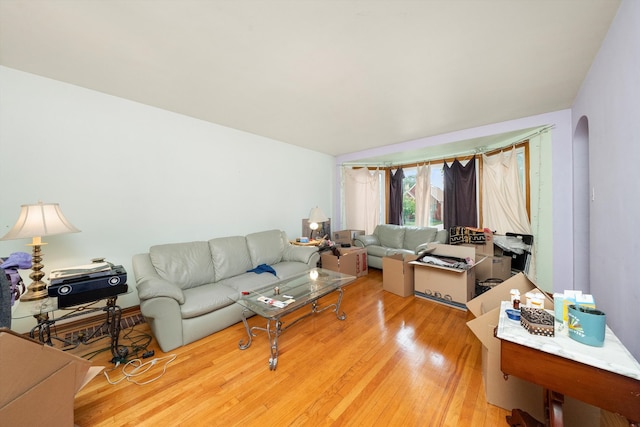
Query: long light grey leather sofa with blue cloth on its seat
{"points": [[187, 290]]}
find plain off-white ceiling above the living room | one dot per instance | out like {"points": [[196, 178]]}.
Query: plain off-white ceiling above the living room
{"points": [[332, 76]]}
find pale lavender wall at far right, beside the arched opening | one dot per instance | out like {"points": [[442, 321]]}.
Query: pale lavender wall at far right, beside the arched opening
{"points": [[610, 100]]}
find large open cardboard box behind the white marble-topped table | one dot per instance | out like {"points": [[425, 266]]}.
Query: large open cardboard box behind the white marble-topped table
{"points": [[514, 392]]}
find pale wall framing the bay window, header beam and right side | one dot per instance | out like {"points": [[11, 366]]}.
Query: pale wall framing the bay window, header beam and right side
{"points": [[551, 209]]}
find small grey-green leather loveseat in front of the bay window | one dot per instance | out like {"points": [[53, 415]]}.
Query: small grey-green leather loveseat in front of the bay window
{"points": [[389, 239]]}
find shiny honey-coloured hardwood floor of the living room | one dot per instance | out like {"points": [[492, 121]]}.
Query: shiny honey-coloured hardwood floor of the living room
{"points": [[393, 361]]}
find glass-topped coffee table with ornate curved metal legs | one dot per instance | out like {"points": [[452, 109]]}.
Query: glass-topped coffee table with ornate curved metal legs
{"points": [[284, 297]]}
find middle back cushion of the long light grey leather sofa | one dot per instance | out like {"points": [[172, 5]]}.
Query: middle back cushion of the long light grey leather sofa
{"points": [[230, 256]]}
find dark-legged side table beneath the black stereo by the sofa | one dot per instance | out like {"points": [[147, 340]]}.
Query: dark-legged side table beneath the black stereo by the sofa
{"points": [[40, 310]]}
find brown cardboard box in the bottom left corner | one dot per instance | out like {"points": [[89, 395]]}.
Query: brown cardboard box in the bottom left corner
{"points": [[35, 375]]}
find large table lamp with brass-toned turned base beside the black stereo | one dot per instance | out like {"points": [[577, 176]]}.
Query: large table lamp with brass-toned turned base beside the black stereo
{"points": [[34, 222]]}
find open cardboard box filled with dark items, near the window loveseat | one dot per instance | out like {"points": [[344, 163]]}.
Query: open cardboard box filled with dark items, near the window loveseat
{"points": [[450, 286]]}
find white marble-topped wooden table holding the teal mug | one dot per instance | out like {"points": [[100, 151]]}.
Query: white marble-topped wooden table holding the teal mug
{"points": [[607, 377]]}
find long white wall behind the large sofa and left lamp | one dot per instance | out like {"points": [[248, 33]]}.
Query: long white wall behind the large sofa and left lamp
{"points": [[131, 176]]}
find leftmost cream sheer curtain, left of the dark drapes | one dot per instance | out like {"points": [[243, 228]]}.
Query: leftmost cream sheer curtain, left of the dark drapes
{"points": [[361, 199]]}
